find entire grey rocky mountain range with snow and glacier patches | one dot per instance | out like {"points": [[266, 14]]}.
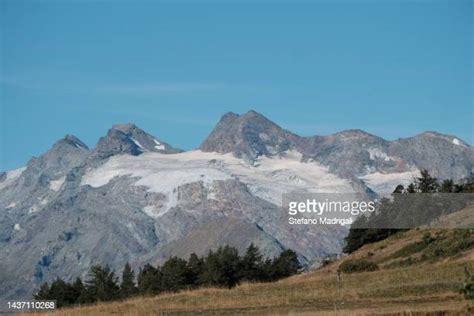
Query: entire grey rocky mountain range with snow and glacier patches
{"points": [[135, 198]]}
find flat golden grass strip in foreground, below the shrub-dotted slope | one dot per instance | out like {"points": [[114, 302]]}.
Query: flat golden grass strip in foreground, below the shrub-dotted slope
{"points": [[420, 288]]}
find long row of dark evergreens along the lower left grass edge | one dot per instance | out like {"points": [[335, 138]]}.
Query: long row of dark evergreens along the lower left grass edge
{"points": [[223, 267]]}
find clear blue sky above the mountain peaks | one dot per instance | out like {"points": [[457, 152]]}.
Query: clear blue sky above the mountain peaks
{"points": [[392, 68]]}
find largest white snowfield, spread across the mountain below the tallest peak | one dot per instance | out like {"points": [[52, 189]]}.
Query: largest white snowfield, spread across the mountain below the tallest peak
{"points": [[268, 178]]}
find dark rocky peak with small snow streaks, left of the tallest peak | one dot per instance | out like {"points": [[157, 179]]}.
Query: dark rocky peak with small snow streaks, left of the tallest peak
{"points": [[129, 139]]}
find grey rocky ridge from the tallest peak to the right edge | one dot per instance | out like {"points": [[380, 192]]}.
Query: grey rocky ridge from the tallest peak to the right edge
{"points": [[348, 153]]}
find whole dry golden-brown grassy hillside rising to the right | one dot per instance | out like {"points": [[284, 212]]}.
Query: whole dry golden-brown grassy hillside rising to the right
{"points": [[419, 271]]}
